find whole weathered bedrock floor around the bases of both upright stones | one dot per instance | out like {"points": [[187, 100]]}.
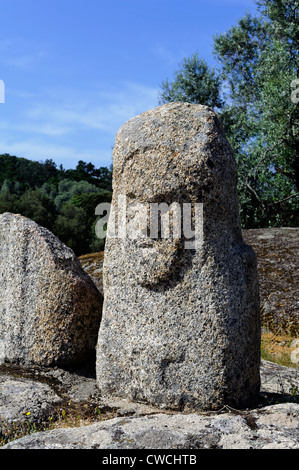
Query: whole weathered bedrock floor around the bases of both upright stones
{"points": [[130, 425]]}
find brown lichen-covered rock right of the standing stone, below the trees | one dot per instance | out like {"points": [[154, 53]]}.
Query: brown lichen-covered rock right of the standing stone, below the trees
{"points": [[277, 251]]}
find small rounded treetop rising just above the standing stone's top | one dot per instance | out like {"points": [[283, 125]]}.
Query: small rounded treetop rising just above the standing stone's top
{"points": [[194, 82]]}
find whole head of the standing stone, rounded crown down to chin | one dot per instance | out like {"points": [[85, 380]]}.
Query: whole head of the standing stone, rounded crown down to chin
{"points": [[177, 159]]}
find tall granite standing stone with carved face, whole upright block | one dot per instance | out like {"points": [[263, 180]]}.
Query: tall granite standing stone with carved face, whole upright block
{"points": [[180, 326]]}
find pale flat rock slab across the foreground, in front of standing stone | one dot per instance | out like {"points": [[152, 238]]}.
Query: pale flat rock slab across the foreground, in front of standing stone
{"points": [[272, 427]]}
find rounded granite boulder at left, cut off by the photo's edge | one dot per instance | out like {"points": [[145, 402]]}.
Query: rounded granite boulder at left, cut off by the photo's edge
{"points": [[50, 310]]}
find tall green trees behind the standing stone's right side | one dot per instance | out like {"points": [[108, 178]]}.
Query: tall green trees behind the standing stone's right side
{"points": [[258, 63]]}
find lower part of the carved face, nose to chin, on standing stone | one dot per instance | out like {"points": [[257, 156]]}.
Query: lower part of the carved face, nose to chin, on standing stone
{"points": [[156, 238]]}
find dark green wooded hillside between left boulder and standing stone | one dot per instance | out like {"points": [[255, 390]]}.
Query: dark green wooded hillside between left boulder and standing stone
{"points": [[64, 201]]}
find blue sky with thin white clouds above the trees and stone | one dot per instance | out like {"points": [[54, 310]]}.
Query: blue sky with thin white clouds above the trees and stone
{"points": [[75, 71]]}
